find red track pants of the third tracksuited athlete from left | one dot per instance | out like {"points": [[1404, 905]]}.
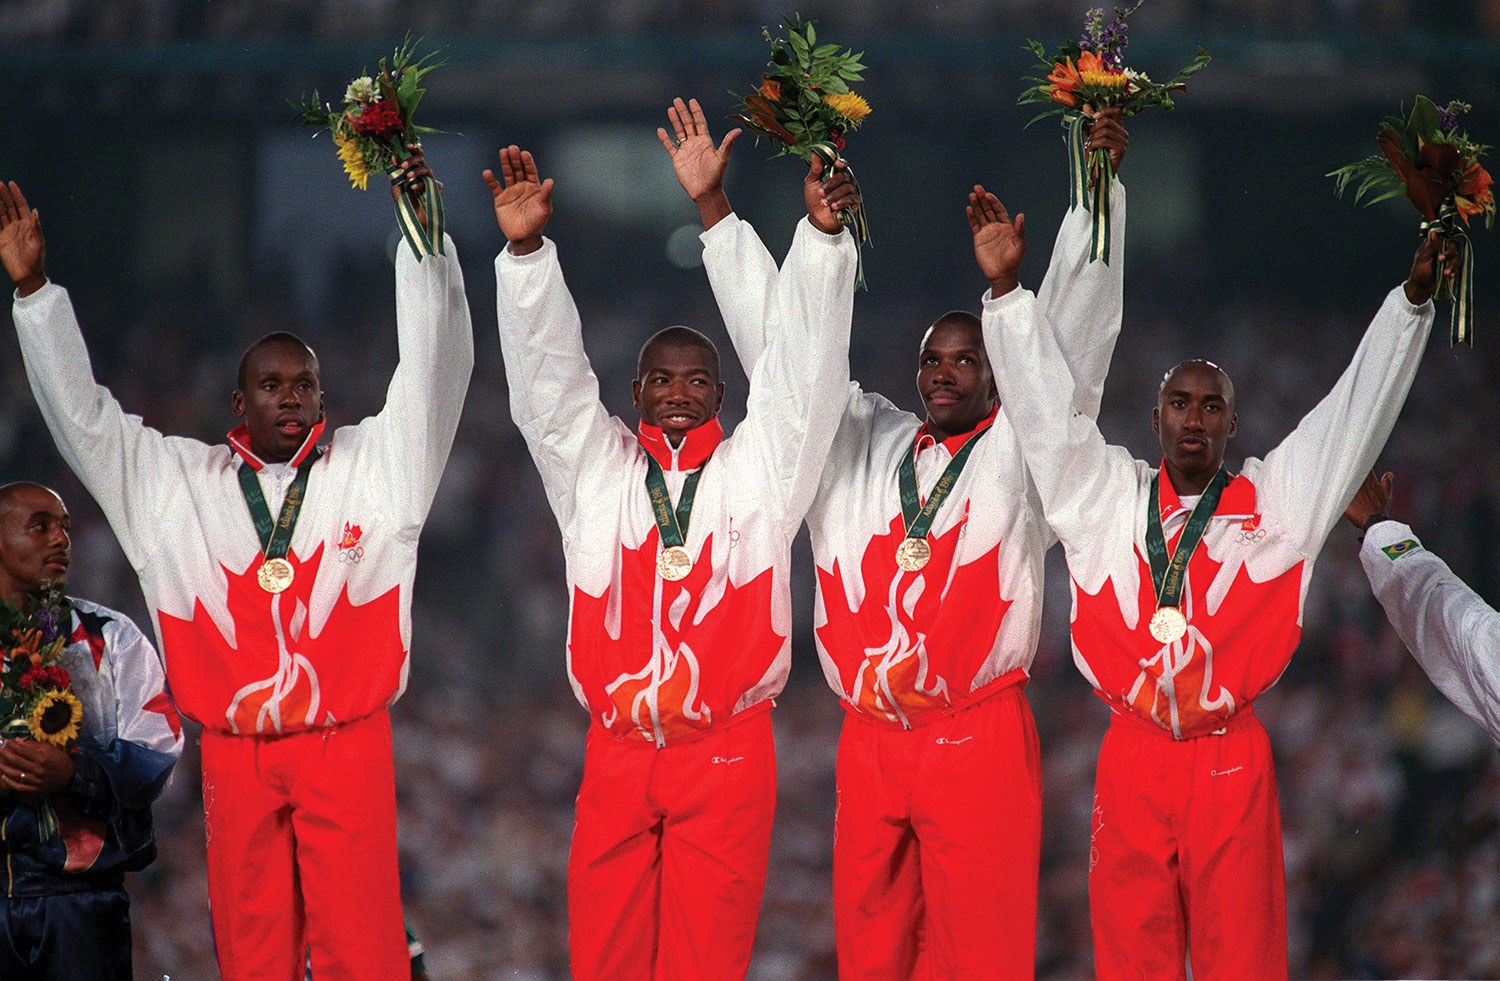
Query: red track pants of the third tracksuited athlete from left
{"points": [[937, 845]]}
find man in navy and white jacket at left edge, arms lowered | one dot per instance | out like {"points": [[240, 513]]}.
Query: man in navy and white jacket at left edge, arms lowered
{"points": [[65, 911]]}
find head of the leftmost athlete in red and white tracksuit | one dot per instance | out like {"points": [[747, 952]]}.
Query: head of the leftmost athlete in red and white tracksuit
{"points": [[280, 397]]}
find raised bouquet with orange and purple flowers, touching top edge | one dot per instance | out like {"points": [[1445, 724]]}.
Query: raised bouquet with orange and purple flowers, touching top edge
{"points": [[1093, 73]]}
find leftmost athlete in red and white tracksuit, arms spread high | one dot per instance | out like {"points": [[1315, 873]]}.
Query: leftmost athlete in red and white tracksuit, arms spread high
{"points": [[290, 688]]}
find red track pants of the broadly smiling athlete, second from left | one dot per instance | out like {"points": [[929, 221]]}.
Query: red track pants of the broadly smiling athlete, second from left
{"points": [[670, 854]]}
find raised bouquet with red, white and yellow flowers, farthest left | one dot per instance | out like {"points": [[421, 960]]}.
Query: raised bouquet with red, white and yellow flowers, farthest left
{"points": [[373, 130]]}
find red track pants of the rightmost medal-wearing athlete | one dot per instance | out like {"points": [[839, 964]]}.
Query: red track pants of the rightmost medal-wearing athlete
{"points": [[1186, 856]]}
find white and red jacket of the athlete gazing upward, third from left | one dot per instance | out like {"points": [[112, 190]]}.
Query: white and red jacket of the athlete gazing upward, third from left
{"points": [[901, 647]]}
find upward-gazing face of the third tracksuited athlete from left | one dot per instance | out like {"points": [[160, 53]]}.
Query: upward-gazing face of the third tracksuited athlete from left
{"points": [[953, 377]]}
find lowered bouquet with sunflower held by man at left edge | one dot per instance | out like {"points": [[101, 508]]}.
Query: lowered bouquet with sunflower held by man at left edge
{"points": [[37, 698]]}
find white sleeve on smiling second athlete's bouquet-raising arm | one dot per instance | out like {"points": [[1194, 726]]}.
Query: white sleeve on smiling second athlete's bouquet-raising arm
{"points": [[800, 383]]}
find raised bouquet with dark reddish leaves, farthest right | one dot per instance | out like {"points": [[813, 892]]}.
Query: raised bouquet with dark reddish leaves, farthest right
{"points": [[1436, 166]]}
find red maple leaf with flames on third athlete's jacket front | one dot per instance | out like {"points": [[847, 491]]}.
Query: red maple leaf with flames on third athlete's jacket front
{"points": [[884, 652]]}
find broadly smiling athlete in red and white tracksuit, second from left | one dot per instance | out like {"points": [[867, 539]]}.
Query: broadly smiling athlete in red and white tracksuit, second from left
{"points": [[674, 814]]}
